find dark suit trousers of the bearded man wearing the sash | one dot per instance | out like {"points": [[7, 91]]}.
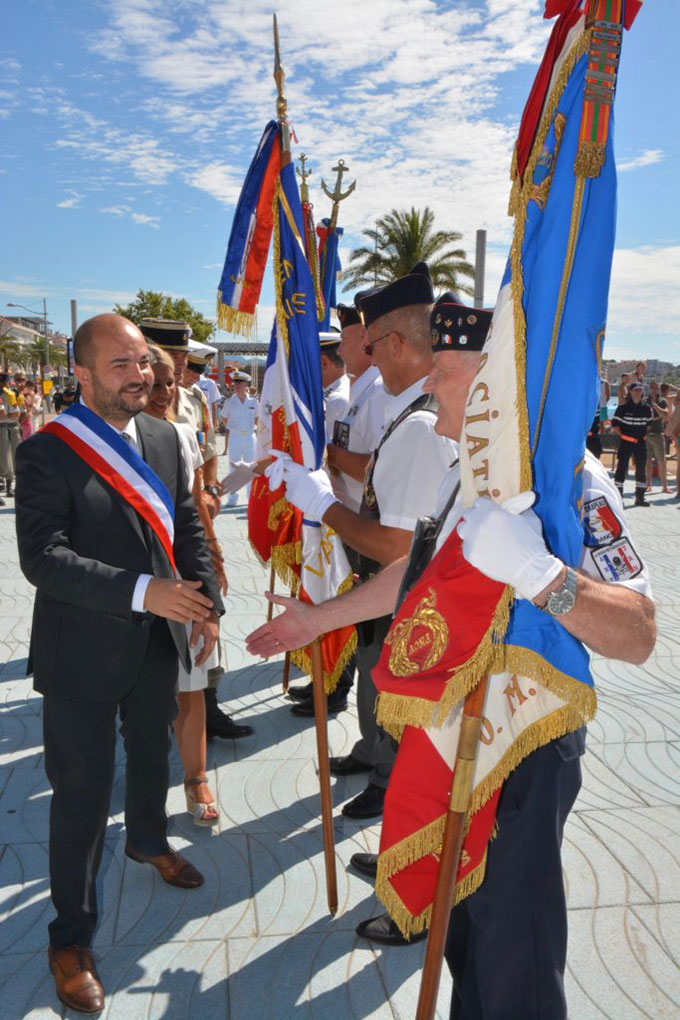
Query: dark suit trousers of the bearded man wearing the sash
{"points": [[80, 750]]}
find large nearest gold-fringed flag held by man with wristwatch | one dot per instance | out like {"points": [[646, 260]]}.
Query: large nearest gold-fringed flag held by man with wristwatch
{"points": [[529, 412]]}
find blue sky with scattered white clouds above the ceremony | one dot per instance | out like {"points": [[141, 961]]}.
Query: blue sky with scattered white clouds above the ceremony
{"points": [[129, 125]]}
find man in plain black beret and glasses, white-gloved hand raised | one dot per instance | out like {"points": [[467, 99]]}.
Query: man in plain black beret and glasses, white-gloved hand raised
{"points": [[401, 485]]}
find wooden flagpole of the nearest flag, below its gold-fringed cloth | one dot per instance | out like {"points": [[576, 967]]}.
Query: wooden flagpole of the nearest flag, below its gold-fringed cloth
{"points": [[466, 757]]}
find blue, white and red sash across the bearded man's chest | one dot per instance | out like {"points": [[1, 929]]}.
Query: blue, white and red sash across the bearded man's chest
{"points": [[121, 467]]}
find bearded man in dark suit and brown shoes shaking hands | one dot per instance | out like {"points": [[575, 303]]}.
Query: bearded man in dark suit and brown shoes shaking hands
{"points": [[109, 632]]}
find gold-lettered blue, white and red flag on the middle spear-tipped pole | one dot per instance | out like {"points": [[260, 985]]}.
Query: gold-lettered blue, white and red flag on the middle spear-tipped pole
{"points": [[306, 555]]}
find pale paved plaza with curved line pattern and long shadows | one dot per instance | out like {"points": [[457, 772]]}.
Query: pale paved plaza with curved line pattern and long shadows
{"points": [[256, 942]]}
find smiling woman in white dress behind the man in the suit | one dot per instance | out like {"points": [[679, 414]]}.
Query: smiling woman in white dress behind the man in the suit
{"points": [[190, 728]]}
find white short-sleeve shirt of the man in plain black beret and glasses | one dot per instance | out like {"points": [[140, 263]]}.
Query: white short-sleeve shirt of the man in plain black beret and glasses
{"points": [[411, 464]]}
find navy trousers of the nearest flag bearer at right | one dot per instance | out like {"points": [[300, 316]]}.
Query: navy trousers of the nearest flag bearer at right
{"points": [[507, 943]]}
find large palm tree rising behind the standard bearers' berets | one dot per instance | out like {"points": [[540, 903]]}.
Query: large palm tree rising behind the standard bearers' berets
{"points": [[400, 240]]}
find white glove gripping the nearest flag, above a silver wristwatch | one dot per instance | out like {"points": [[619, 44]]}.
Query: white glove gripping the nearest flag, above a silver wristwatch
{"points": [[507, 544]]}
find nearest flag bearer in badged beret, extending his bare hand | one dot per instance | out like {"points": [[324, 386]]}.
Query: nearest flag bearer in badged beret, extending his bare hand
{"points": [[516, 923]]}
